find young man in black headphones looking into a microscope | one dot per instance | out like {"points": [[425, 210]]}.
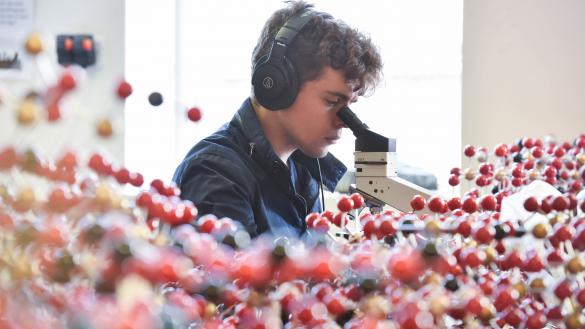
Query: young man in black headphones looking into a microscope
{"points": [[266, 167]]}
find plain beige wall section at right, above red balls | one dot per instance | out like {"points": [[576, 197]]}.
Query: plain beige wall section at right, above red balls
{"points": [[523, 70]]}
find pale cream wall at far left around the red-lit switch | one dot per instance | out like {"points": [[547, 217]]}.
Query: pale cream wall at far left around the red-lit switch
{"points": [[93, 100]]}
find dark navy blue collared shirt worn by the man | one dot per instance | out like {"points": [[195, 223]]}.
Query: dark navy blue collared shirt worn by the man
{"points": [[235, 173]]}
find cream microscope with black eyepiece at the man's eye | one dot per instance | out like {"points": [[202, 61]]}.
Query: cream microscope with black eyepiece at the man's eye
{"points": [[376, 177]]}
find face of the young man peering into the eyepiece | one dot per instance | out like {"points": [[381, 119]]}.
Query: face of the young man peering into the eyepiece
{"points": [[311, 123]]}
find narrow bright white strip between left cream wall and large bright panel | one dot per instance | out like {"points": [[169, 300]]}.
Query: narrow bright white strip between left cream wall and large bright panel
{"points": [[151, 66]]}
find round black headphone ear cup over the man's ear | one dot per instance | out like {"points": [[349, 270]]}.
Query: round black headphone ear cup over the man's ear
{"points": [[275, 86]]}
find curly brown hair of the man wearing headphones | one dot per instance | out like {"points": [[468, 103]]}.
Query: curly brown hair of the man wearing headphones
{"points": [[324, 41]]}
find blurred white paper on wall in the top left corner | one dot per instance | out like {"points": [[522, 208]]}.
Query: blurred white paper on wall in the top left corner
{"points": [[16, 22]]}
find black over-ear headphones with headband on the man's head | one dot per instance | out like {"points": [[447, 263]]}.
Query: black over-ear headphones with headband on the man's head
{"points": [[275, 80]]}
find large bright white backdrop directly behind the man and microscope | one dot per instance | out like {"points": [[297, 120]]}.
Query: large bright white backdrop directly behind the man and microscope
{"points": [[418, 103]]}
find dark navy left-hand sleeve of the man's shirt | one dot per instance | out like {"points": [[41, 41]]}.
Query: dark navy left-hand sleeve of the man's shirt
{"points": [[218, 185]]}
